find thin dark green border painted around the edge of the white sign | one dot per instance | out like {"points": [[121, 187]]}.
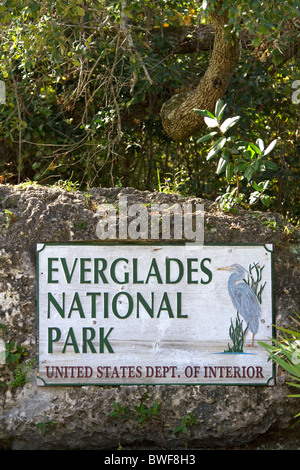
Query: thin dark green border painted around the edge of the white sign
{"points": [[150, 243]]}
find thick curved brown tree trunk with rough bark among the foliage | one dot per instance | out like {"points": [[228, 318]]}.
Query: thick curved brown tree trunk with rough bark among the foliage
{"points": [[178, 116]]}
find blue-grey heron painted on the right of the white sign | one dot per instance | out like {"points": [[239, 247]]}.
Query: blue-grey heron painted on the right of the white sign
{"points": [[243, 298]]}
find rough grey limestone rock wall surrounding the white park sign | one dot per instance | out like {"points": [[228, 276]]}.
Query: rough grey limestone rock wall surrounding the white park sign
{"points": [[34, 417]]}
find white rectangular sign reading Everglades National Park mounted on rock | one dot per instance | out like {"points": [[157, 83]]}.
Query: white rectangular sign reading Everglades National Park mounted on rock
{"points": [[112, 314]]}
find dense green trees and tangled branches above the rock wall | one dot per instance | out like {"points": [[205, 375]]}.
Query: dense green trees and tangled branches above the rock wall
{"points": [[88, 84]]}
